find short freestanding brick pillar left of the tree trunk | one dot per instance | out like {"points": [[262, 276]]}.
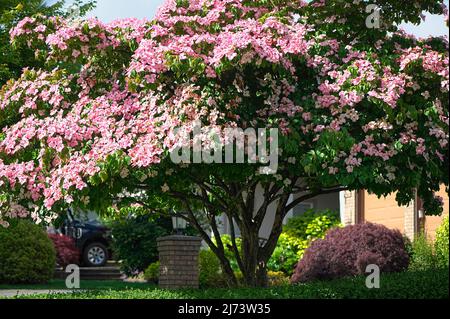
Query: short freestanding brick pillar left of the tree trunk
{"points": [[178, 257]]}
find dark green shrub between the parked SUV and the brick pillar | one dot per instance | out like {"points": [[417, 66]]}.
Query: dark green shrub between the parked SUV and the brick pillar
{"points": [[134, 241]]}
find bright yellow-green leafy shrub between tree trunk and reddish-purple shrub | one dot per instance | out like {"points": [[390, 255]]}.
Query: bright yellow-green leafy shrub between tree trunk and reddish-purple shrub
{"points": [[298, 233]]}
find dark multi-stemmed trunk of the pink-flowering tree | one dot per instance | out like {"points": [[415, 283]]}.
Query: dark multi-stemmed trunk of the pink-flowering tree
{"points": [[254, 254]]}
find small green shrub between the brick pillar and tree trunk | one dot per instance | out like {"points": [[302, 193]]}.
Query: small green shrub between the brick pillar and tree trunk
{"points": [[210, 273]]}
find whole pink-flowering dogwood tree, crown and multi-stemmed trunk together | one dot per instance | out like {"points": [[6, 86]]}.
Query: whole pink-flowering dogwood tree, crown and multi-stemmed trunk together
{"points": [[96, 127]]}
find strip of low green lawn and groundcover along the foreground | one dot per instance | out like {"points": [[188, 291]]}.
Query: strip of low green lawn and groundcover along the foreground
{"points": [[431, 284]]}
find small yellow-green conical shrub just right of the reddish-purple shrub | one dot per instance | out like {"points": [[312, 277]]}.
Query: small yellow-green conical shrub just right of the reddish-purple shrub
{"points": [[423, 256]]}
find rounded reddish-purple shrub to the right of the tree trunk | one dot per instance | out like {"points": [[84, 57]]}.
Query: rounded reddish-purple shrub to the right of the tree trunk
{"points": [[347, 251]]}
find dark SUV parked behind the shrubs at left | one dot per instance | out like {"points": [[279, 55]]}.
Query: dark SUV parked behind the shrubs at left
{"points": [[91, 237]]}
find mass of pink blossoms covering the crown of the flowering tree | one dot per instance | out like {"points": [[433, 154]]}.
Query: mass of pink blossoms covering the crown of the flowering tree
{"points": [[225, 63]]}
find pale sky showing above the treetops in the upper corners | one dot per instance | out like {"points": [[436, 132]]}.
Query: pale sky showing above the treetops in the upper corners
{"points": [[108, 10]]}
